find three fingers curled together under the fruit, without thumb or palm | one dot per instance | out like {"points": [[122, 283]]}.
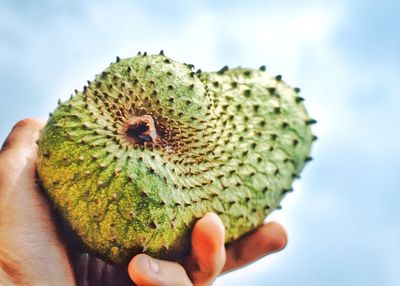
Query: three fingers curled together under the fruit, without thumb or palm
{"points": [[209, 257]]}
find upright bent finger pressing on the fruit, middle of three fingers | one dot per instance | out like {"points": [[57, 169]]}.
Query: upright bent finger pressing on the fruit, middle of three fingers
{"points": [[208, 250]]}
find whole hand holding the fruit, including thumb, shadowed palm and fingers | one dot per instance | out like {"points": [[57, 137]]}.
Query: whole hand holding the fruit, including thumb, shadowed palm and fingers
{"points": [[34, 251]]}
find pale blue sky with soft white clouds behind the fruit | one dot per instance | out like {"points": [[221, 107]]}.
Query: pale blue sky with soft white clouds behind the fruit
{"points": [[343, 219]]}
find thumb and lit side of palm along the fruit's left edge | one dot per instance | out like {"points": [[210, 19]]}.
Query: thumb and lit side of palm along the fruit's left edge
{"points": [[31, 250]]}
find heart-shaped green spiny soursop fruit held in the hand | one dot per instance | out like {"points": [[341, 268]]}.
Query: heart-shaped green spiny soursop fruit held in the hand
{"points": [[149, 146]]}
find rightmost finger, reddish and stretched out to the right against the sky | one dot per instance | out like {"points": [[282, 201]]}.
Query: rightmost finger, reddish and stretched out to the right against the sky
{"points": [[266, 239]]}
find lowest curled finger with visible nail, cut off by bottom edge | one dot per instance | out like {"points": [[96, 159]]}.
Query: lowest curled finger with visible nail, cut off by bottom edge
{"points": [[145, 270]]}
